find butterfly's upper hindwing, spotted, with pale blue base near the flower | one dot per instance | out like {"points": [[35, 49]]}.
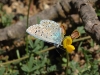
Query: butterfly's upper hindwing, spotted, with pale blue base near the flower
{"points": [[54, 29]]}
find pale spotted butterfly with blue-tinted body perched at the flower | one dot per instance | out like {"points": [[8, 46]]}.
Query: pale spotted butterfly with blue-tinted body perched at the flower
{"points": [[48, 31]]}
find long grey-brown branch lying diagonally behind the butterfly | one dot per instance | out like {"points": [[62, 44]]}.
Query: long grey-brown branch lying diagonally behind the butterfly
{"points": [[18, 30]]}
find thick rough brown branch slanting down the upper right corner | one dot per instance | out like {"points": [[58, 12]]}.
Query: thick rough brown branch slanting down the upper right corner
{"points": [[89, 17]]}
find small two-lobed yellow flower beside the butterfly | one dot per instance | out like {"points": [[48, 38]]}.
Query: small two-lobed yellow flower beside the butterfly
{"points": [[67, 44]]}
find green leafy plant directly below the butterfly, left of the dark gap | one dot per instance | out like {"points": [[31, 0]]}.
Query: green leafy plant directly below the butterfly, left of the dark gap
{"points": [[37, 63]]}
